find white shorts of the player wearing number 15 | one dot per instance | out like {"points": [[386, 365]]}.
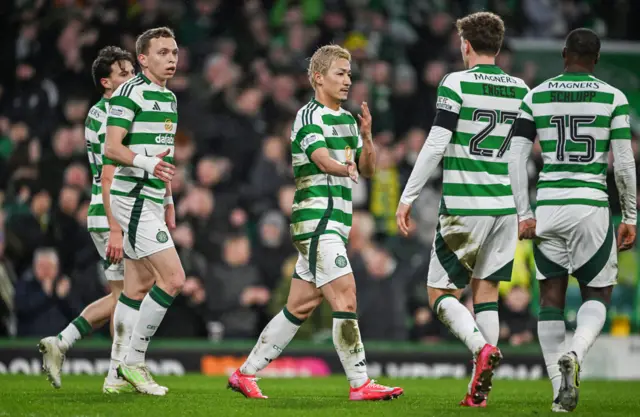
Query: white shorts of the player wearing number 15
{"points": [[576, 240]]}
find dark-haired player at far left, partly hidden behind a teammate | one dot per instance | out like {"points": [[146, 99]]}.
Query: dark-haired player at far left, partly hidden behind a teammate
{"points": [[111, 68]]}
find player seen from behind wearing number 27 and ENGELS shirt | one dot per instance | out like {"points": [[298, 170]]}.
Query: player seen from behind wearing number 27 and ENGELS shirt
{"points": [[475, 237]]}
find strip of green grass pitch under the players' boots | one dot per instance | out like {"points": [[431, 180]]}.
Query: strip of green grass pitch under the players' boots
{"points": [[195, 395]]}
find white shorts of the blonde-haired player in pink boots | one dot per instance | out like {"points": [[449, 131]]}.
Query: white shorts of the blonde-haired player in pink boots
{"points": [[321, 259]]}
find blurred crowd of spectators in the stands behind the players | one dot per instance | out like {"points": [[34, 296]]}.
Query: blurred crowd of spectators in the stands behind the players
{"points": [[241, 79]]}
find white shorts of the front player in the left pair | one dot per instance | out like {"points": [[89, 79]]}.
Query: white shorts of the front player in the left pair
{"points": [[143, 224]]}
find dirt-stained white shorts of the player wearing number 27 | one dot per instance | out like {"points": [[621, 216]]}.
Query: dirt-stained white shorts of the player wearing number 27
{"points": [[468, 247]]}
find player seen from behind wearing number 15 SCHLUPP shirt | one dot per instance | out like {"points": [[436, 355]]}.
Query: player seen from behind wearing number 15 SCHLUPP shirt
{"points": [[577, 118]]}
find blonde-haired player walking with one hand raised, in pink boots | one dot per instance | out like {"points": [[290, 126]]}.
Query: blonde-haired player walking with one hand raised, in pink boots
{"points": [[327, 151]]}
